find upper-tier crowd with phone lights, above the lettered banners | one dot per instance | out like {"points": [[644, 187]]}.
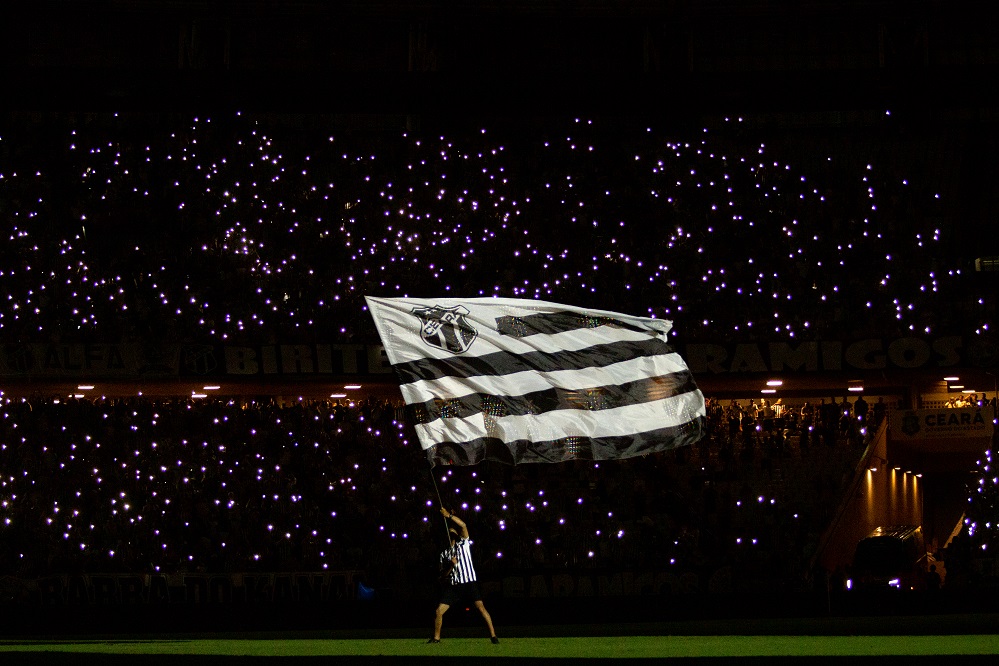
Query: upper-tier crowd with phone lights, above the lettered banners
{"points": [[117, 227]]}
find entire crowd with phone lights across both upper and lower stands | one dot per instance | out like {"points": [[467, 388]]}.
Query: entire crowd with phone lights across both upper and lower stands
{"points": [[159, 229]]}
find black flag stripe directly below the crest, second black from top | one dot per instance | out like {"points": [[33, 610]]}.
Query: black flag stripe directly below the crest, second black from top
{"points": [[505, 363]]}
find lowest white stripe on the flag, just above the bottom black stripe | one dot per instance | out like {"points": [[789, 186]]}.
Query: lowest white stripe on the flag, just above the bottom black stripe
{"points": [[622, 421]]}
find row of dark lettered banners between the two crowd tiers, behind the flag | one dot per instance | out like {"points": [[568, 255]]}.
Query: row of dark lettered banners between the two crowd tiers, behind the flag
{"points": [[122, 361]]}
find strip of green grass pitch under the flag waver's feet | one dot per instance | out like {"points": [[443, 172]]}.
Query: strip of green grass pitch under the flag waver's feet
{"points": [[895, 639]]}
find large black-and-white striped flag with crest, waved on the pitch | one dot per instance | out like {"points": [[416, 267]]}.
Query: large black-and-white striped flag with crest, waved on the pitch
{"points": [[520, 381]]}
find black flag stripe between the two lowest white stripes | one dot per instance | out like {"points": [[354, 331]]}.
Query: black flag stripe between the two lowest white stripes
{"points": [[538, 402]]}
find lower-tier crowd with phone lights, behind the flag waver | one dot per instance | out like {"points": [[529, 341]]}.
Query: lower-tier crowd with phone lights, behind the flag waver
{"points": [[166, 486]]}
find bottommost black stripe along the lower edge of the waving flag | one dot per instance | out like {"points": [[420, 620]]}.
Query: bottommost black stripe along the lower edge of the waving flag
{"points": [[568, 448]]}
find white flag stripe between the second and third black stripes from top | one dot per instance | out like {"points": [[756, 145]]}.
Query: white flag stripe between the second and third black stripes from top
{"points": [[519, 383]]}
